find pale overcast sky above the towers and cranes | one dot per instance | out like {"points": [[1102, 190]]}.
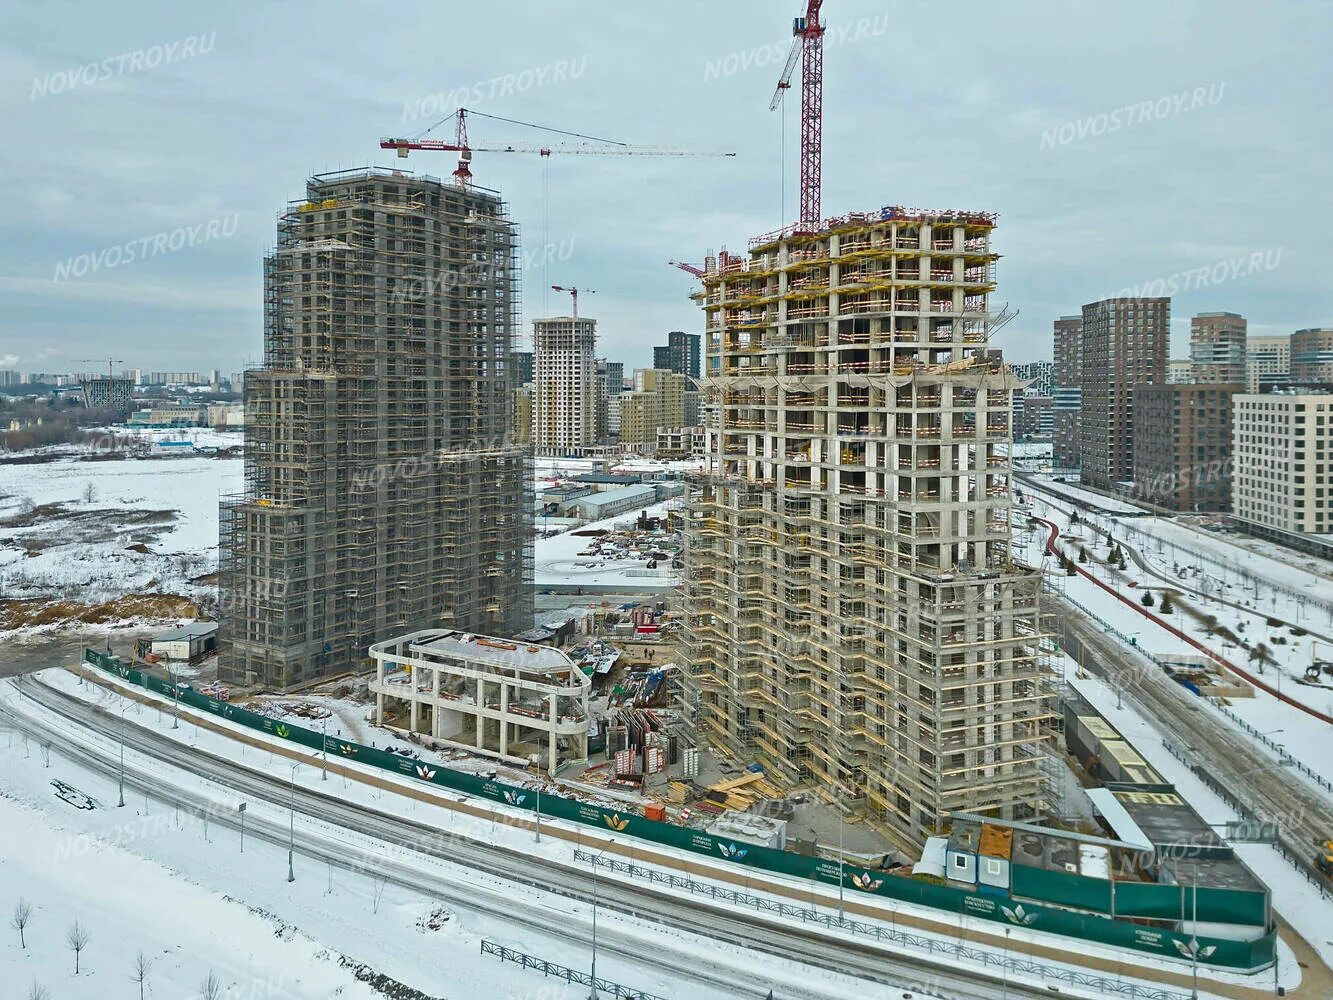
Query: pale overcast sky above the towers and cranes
{"points": [[1123, 145]]}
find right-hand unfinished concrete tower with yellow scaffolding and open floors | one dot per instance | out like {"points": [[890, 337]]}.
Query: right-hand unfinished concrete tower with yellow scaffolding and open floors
{"points": [[855, 622]]}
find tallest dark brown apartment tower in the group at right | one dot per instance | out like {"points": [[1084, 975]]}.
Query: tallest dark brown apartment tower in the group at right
{"points": [[1123, 346]]}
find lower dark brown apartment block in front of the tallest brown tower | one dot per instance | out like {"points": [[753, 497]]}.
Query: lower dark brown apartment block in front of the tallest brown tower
{"points": [[1183, 445]]}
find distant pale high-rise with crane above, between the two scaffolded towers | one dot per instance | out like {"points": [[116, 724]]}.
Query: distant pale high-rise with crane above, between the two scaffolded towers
{"points": [[565, 399]]}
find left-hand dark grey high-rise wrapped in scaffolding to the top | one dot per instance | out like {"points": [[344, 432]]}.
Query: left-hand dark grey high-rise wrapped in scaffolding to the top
{"points": [[383, 490]]}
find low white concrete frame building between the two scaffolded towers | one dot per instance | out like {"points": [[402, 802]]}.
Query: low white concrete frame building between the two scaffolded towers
{"points": [[509, 701]]}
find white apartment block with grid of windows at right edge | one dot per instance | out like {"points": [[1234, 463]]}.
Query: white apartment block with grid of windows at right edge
{"points": [[1283, 485]]}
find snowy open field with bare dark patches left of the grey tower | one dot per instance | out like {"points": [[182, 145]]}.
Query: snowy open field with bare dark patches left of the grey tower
{"points": [[93, 531]]}
